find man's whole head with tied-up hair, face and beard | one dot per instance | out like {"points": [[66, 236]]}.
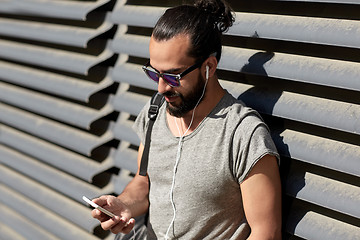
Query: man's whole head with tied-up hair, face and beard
{"points": [[184, 40]]}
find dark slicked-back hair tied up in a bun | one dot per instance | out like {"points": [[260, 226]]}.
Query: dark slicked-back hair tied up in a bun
{"points": [[204, 22]]}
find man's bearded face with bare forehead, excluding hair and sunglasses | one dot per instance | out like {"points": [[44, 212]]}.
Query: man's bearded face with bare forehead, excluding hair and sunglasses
{"points": [[170, 57]]}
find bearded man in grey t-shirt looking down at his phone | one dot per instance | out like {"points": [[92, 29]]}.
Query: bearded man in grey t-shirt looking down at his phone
{"points": [[213, 170]]}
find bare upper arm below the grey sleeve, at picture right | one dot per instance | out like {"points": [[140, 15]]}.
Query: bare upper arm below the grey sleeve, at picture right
{"points": [[261, 193]]}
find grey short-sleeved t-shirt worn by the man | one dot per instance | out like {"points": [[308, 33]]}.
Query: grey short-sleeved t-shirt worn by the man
{"points": [[215, 158]]}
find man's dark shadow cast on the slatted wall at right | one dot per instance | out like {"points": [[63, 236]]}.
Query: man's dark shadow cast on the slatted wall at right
{"points": [[263, 98]]}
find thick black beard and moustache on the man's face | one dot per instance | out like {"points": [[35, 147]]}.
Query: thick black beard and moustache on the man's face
{"points": [[188, 101]]}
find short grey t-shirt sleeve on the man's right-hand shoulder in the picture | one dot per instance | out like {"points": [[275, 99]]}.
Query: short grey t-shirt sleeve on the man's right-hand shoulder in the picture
{"points": [[252, 141]]}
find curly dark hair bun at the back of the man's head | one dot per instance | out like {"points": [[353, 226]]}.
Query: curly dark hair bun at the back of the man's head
{"points": [[220, 12]]}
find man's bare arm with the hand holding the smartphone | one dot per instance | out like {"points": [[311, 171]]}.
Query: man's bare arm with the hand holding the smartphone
{"points": [[132, 202]]}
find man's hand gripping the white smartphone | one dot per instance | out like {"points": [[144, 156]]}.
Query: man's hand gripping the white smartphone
{"points": [[122, 222]]}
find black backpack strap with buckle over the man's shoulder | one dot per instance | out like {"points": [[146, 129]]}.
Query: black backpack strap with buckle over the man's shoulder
{"points": [[156, 101]]}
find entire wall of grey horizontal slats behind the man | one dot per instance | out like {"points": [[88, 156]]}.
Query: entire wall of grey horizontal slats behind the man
{"points": [[71, 86]]}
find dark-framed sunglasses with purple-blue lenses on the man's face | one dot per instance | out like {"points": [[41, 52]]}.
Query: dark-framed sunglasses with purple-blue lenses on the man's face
{"points": [[172, 80]]}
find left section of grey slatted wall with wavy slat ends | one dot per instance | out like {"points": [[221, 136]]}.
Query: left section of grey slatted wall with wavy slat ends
{"points": [[56, 117]]}
